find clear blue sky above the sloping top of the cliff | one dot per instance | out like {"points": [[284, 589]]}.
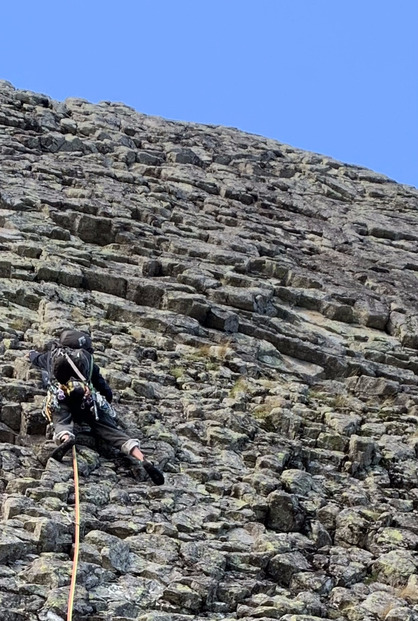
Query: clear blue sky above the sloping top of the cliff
{"points": [[337, 77]]}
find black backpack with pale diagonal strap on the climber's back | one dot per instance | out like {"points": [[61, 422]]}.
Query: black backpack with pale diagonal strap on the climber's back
{"points": [[66, 363]]}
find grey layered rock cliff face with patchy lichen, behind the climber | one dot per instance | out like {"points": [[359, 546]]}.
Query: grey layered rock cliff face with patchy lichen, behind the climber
{"points": [[254, 308]]}
